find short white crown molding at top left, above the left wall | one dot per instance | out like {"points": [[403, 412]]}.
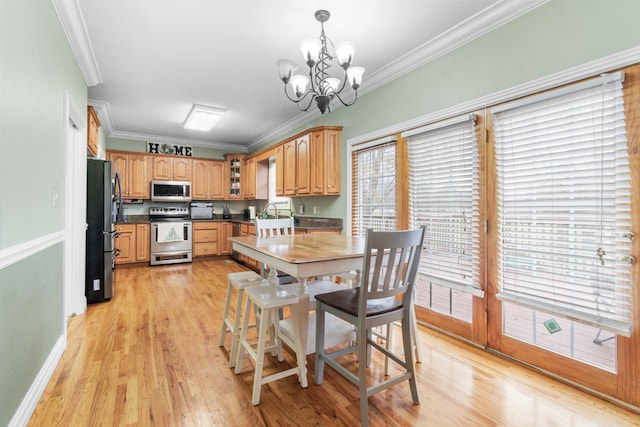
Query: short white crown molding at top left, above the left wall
{"points": [[75, 29]]}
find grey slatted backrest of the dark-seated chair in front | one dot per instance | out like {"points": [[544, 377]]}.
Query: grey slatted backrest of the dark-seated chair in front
{"points": [[390, 265]]}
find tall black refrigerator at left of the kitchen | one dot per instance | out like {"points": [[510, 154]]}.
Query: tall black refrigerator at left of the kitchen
{"points": [[101, 216]]}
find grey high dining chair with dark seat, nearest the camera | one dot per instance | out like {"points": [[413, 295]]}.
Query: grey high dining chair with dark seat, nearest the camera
{"points": [[389, 271]]}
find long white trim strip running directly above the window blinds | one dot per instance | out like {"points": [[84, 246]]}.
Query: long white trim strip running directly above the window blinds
{"points": [[609, 63]]}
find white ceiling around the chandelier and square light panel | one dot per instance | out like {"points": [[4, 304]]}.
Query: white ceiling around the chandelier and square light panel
{"points": [[148, 61]]}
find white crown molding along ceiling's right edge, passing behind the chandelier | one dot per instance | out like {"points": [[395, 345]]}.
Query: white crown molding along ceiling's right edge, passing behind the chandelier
{"points": [[473, 27]]}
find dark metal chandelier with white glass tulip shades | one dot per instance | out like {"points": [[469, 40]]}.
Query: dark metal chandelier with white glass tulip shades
{"points": [[324, 88]]}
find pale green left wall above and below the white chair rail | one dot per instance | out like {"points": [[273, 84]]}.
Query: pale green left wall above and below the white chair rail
{"points": [[36, 67]]}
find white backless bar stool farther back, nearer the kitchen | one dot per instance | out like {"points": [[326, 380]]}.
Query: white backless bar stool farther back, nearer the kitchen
{"points": [[238, 281]]}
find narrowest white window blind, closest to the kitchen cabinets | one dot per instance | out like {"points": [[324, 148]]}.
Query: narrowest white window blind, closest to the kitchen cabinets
{"points": [[373, 187]]}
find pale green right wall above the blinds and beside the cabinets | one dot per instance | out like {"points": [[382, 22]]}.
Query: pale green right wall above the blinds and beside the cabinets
{"points": [[556, 36]]}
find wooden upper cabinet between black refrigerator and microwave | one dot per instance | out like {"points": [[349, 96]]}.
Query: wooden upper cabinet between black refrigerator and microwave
{"points": [[135, 172]]}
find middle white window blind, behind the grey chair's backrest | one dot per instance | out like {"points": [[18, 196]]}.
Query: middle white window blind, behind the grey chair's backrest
{"points": [[444, 196]]}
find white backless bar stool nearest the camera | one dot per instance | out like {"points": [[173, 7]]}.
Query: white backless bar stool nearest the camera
{"points": [[269, 298]]}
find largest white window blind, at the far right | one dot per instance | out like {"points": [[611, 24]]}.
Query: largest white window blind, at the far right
{"points": [[564, 203]]}
